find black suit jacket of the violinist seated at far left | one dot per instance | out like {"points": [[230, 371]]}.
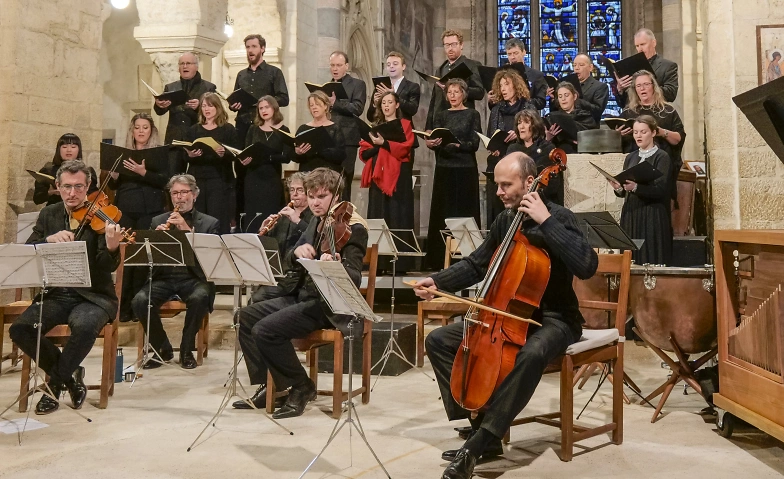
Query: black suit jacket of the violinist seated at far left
{"points": [[54, 218]]}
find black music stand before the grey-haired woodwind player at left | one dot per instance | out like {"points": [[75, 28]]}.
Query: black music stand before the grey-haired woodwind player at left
{"points": [[156, 248]]}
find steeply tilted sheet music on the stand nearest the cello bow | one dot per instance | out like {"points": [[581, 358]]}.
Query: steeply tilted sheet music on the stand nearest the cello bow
{"points": [[335, 285]]}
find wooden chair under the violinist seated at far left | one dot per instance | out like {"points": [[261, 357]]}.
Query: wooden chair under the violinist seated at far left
{"points": [[61, 333]]}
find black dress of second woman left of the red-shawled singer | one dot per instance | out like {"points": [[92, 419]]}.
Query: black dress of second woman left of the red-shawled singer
{"points": [[263, 176]]}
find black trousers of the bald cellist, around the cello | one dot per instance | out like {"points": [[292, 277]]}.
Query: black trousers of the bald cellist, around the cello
{"points": [[542, 346]]}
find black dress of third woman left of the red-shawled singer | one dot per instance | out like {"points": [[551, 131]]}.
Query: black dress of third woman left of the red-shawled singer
{"points": [[214, 175]]}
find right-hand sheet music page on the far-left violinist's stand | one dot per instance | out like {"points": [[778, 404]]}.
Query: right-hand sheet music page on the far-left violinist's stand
{"points": [[65, 264]]}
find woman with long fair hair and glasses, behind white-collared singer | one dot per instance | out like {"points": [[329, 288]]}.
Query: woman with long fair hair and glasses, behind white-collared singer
{"points": [[647, 98]]}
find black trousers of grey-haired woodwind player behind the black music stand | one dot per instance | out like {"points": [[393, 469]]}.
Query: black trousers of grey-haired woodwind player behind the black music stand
{"points": [[193, 291]]}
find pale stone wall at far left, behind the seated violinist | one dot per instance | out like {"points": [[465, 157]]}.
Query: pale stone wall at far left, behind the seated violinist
{"points": [[49, 85]]}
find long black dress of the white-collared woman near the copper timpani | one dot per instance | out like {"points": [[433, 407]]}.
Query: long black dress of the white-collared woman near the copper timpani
{"points": [[646, 212]]}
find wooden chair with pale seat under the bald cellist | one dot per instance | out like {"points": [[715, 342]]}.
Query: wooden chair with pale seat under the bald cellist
{"points": [[594, 346]]}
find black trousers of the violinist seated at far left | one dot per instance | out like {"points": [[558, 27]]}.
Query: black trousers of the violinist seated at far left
{"points": [[60, 306]]}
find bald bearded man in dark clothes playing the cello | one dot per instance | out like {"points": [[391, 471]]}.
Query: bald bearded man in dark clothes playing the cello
{"points": [[552, 228]]}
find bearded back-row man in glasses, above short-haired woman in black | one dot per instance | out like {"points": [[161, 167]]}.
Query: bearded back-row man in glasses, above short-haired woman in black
{"points": [[453, 47]]}
